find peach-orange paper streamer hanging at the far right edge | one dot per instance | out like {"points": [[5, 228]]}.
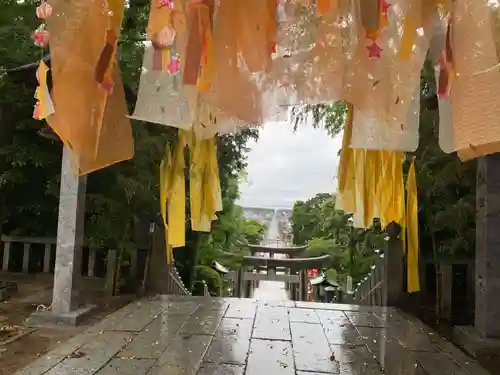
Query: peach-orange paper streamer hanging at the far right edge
{"points": [[475, 90]]}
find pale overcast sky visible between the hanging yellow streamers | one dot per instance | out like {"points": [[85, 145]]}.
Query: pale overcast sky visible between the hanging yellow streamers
{"points": [[284, 166]]}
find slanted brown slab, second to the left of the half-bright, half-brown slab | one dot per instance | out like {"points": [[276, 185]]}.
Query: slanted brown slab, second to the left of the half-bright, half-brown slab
{"points": [[154, 339]]}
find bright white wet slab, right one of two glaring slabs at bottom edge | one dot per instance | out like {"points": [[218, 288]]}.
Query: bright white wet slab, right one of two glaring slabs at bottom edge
{"points": [[311, 351]]}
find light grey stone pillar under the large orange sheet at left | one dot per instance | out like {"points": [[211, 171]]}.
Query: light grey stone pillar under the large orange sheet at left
{"points": [[69, 237]]}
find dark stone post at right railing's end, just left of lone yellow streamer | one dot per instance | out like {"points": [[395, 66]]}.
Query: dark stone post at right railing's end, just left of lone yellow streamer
{"points": [[394, 265]]}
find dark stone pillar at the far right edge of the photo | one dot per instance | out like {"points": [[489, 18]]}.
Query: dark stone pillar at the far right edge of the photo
{"points": [[487, 316]]}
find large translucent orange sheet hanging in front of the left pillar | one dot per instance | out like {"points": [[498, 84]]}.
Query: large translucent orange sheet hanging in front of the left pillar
{"points": [[88, 119]]}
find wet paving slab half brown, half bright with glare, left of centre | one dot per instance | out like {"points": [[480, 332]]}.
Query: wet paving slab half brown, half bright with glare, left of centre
{"points": [[231, 343]]}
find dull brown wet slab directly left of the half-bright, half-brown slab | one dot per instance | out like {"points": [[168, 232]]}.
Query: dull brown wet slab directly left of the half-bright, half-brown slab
{"points": [[183, 356]]}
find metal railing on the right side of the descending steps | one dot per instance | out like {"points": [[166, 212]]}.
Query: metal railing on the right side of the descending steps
{"points": [[372, 290]]}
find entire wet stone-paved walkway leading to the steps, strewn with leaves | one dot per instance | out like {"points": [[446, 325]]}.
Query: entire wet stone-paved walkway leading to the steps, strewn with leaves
{"points": [[170, 335]]}
